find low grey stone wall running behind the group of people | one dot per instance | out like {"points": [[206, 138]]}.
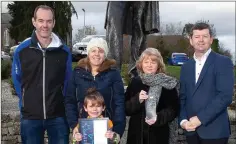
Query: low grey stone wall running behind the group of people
{"points": [[10, 121]]}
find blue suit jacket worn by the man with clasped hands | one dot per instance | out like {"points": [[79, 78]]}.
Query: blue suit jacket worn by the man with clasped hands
{"points": [[209, 98]]}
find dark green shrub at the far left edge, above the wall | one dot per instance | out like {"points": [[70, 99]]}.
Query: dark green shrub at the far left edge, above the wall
{"points": [[6, 69]]}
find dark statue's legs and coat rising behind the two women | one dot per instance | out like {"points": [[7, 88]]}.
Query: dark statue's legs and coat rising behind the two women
{"points": [[135, 18]]}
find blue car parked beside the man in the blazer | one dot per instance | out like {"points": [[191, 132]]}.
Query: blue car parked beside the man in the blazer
{"points": [[178, 59]]}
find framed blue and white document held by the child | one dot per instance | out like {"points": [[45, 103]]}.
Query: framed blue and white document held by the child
{"points": [[93, 130]]}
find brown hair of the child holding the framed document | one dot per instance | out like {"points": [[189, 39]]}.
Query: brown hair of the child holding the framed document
{"points": [[94, 96]]}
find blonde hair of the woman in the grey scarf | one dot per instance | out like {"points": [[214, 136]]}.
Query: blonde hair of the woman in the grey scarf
{"points": [[155, 55]]}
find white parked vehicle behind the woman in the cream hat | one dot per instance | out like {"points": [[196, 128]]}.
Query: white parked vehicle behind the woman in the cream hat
{"points": [[79, 49]]}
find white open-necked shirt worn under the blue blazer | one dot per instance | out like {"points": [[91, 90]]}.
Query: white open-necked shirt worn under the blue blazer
{"points": [[199, 63]]}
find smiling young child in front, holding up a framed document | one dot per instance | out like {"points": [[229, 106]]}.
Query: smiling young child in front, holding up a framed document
{"points": [[94, 105]]}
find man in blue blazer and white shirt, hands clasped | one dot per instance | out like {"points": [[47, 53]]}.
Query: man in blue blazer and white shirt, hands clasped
{"points": [[206, 91]]}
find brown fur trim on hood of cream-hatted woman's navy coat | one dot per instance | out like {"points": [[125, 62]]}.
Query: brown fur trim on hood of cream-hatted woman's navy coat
{"points": [[107, 64]]}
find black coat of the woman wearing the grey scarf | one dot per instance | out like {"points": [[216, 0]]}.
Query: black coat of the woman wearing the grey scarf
{"points": [[139, 131]]}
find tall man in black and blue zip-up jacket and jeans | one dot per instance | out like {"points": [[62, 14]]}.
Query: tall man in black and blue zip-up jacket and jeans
{"points": [[40, 70]]}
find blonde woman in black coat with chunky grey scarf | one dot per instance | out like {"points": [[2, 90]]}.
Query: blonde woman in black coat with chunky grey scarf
{"points": [[151, 102]]}
